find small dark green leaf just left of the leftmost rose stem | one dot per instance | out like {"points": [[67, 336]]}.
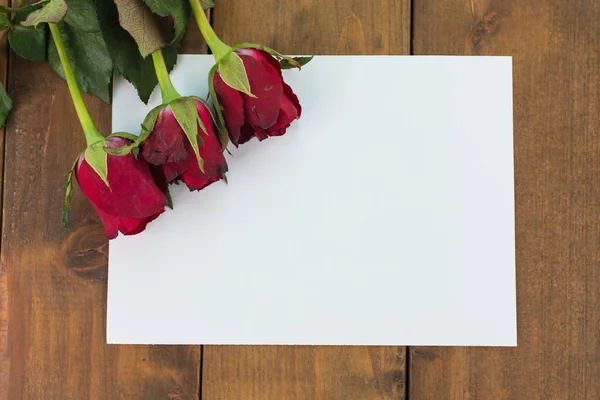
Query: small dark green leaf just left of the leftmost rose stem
{"points": [[28, 42]]}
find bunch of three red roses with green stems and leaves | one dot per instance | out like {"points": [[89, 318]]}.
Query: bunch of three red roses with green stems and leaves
{"points": [[126, 175]]}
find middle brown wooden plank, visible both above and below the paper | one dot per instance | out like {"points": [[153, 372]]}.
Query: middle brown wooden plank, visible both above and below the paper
{"points": [[309, 372]]}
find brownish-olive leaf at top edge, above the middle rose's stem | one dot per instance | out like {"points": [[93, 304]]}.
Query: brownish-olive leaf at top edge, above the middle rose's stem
{"points": [[144, 26]]}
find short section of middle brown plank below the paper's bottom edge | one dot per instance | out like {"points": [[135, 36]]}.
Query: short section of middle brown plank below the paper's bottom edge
{"points": [[303, 373]]}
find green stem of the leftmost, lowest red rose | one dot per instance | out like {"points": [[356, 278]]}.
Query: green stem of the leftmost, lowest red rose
{"points": [[89, 129]]}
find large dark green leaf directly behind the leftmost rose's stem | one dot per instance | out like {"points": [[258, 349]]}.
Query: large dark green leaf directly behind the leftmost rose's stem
{"points": [[92, 64]]}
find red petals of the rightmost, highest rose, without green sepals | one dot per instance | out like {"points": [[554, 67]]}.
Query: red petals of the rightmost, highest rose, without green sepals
{"points": [[270, 112]]}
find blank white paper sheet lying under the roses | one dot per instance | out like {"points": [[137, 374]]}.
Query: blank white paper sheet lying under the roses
{"points": [[385, 216]]}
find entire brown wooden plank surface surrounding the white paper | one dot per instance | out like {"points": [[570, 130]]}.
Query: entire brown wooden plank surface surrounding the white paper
{"points": [[53, 282]]}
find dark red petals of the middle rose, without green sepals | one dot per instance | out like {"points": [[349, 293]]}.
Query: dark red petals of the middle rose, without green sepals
{"points": [[168, 147]]}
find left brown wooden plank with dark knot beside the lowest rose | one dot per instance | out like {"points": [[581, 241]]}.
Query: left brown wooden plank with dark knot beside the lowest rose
{"points": [[57, 279]]}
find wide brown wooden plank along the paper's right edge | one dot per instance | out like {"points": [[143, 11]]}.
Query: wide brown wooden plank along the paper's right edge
{"points": [[556, 50]]}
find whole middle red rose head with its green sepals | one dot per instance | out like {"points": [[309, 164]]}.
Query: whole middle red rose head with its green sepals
{"points": [[169, 146]]}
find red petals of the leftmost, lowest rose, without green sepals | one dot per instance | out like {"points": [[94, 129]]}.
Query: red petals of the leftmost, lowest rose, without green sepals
{"points": [[133, 198]]}
